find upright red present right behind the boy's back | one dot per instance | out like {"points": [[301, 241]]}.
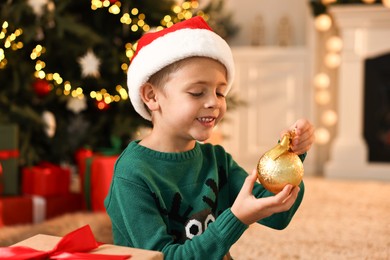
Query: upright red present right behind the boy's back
{"points": [[97, 180]]}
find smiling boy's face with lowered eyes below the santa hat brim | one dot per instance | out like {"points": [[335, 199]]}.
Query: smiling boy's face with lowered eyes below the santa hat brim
{"points": [[192, 100]]}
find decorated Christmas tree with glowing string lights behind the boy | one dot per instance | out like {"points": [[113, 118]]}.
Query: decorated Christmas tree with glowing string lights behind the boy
{"points": [[63, 69]]}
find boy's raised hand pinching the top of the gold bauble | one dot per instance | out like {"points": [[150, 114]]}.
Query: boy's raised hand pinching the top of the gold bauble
{"points": [[304, 136]]}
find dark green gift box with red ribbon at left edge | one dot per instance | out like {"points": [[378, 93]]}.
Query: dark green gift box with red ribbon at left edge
{"points": [[9, 153]]}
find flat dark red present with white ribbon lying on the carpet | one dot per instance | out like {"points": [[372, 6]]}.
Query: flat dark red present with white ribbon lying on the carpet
{"points": [[29, 209]]}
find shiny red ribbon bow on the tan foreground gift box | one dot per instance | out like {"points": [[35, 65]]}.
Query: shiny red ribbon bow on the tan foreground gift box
{"points": [[72, 246]]}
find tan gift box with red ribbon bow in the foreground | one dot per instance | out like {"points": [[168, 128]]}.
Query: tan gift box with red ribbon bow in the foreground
{"points": [[79, 244]]}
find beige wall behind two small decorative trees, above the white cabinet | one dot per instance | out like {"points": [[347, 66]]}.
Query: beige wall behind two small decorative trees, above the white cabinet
{"points": [[245, 11]]}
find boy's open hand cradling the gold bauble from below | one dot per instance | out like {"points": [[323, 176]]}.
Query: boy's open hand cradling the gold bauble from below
{"points": [[250, 209]]}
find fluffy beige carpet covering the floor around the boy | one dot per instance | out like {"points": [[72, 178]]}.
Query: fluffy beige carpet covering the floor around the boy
{"points": [[337, 220]]}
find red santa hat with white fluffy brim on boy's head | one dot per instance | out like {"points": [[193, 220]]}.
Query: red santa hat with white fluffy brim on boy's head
{"points": [[157, 50]]}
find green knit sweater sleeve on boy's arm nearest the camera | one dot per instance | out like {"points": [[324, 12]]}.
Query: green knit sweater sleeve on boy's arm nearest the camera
{"points": [[138, 223]]}
